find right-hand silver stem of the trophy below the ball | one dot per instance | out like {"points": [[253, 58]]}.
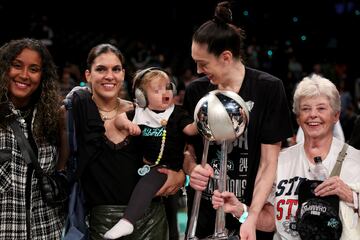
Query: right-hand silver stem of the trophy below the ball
{"points": [[220, 230]]}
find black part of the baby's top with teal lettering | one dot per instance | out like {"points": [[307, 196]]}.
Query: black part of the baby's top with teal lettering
{"points": [[173, 156]]}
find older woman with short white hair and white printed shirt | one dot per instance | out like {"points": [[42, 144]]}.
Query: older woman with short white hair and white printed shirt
{"points": [[317, 108]]}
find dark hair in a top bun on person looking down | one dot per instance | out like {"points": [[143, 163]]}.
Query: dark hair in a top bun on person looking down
{"points": [[220, 34]]}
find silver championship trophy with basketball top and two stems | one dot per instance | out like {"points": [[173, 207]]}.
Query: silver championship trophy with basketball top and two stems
{"points": [[220, 116]]}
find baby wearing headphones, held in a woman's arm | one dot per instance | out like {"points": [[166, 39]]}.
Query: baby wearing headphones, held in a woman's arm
{"points": [[163, 127]]}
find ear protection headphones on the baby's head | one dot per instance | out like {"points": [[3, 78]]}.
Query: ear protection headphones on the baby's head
{"points": [[140, 94]]}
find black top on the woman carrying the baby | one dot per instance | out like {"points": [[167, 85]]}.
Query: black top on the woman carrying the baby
{"points": [[108, 171]]}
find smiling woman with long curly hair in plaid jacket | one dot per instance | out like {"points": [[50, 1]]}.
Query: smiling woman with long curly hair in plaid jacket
{"points": [[29, 96]]}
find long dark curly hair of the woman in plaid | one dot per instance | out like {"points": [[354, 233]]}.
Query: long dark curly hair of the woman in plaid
{"points": [[46, 97]]}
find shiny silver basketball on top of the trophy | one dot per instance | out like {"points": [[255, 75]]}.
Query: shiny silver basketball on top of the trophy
{"points": [[221, 115]]}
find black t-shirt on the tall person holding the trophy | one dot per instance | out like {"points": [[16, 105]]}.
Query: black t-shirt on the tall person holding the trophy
{"points": [[269, 122]]}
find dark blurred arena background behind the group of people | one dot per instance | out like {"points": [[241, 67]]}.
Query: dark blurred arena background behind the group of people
{"points": [[324, 32]]}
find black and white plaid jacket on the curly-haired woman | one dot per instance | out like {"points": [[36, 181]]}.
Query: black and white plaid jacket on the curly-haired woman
{"points": [[45, 222]]}
